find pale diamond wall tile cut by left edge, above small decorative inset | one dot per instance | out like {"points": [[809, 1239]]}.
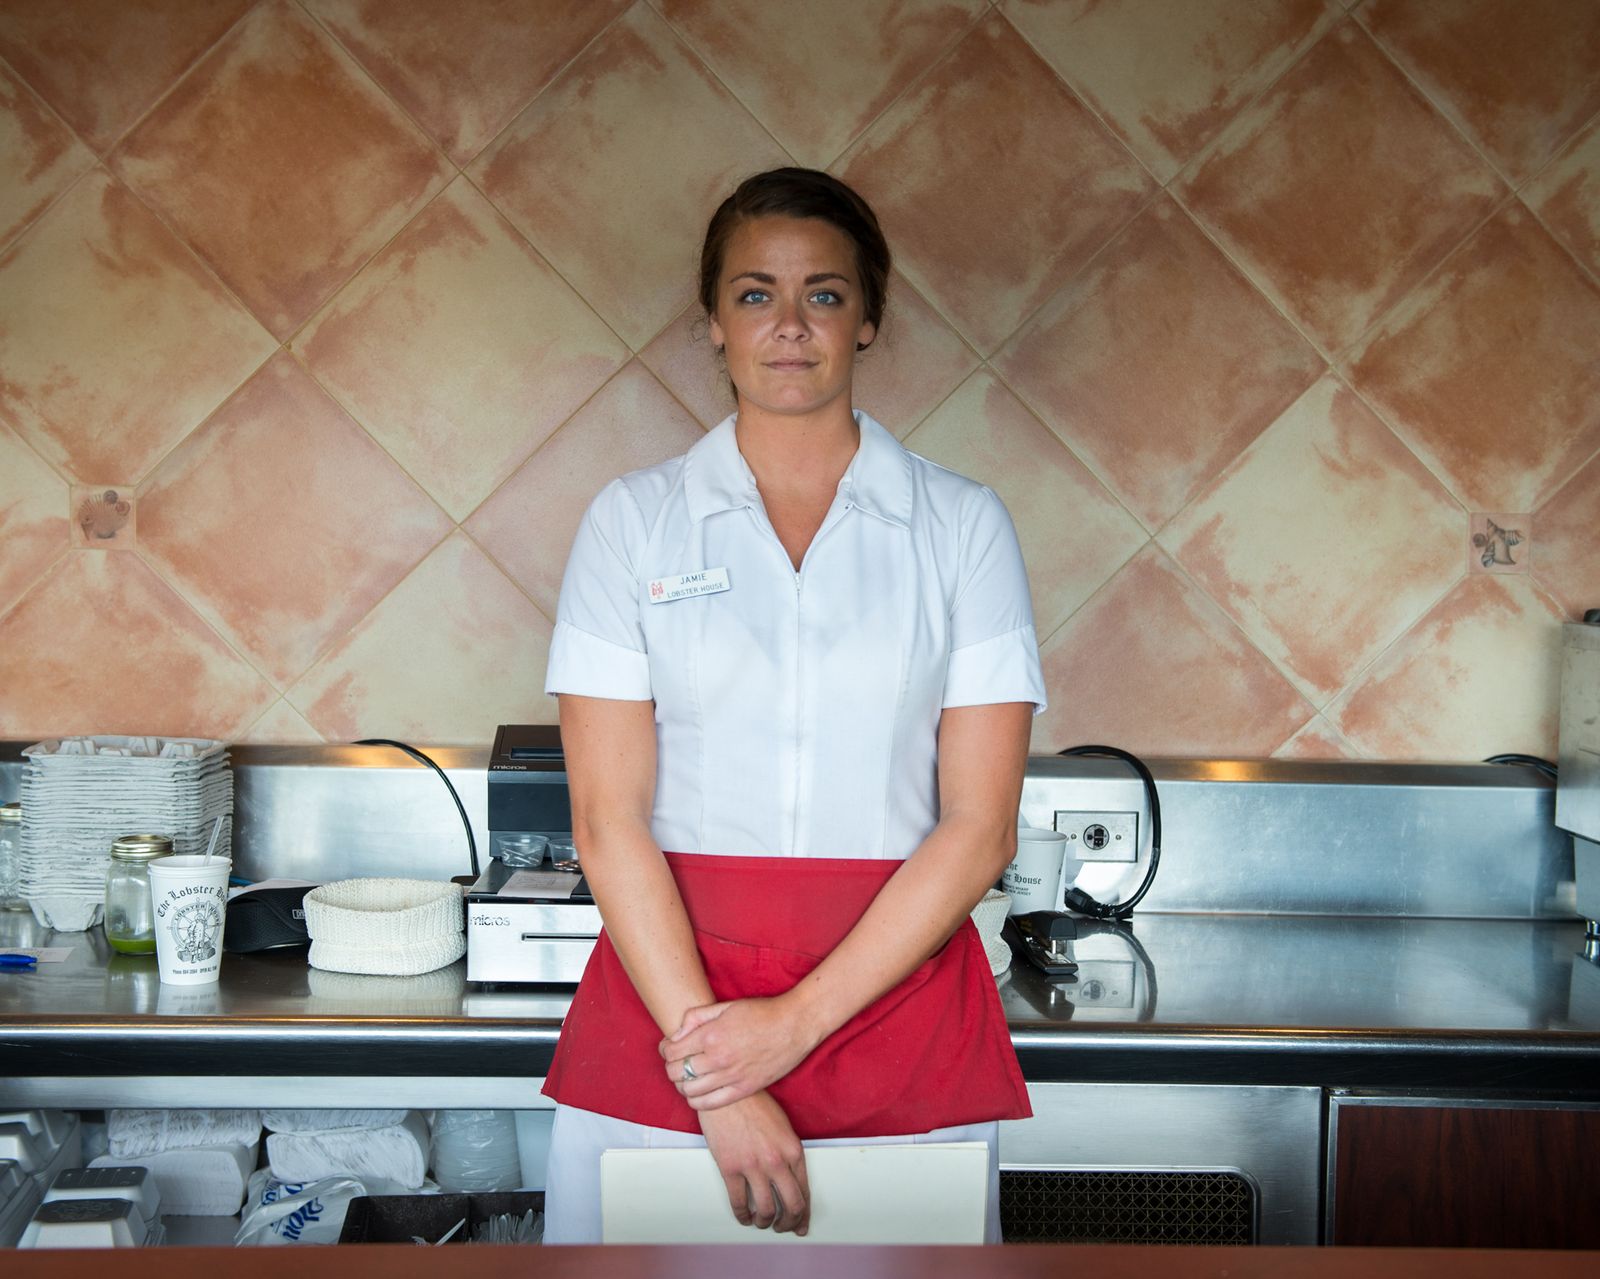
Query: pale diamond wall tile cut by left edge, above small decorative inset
{"points": [[114, 340]]}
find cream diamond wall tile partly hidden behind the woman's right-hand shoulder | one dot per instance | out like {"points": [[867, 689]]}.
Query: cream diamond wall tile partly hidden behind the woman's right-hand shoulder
{"points": [[1074, 535]]}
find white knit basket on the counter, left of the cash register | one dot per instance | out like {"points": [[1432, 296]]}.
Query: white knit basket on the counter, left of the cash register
{"points": [[394, 928]]}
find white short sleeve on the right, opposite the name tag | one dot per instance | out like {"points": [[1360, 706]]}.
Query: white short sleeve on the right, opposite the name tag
{"points": [[994, 652]]}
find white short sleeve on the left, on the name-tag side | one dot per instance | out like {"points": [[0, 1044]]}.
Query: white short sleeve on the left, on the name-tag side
{"points": [[599, 646]]}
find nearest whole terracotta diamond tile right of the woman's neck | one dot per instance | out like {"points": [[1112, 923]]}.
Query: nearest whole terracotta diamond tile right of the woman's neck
{"points": [[1159, 364]]}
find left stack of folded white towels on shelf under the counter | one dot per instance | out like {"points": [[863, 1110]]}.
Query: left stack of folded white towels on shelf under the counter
{"points": [[201, 1160]]}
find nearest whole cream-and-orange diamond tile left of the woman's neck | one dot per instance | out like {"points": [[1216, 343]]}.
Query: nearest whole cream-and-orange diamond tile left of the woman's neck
{"points": [[460, 350]]}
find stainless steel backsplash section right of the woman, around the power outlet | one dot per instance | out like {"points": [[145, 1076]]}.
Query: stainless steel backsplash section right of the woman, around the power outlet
{"points": [[1327, 838]]}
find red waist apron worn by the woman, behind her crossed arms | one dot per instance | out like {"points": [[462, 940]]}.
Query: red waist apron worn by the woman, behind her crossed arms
{"points": [[934, 1052]]}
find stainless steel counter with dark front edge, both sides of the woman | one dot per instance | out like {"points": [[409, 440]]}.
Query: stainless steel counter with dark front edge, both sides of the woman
{"points": [[1308, 1001]]}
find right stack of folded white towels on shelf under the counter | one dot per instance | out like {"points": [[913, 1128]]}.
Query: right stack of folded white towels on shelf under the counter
{"points": [[372, 1147]]}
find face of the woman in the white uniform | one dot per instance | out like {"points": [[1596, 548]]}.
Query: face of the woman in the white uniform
{"points": [[790, 315]]}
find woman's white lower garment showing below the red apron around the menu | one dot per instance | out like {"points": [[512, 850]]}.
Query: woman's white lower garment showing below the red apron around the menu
{"points": [[572, 1182]]}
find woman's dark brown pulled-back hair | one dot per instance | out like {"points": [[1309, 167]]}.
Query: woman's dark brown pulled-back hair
{"points": [[802, 193]]}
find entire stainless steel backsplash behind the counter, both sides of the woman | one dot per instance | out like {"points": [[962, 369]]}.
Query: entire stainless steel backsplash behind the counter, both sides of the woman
{"points": [[1252, 836]]}
